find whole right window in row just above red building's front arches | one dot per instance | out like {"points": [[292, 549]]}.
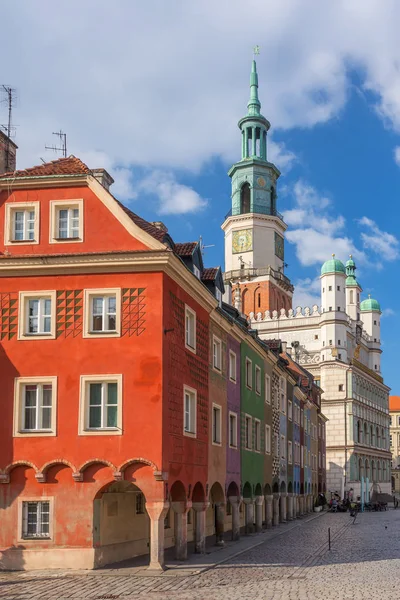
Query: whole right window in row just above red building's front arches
{"points": [[100, 405]]}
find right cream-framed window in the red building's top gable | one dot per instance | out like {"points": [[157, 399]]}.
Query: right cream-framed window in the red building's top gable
{"points": [[66, 221]]}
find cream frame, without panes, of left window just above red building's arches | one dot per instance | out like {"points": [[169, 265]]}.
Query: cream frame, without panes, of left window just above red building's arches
{"points": [[18, 420]]}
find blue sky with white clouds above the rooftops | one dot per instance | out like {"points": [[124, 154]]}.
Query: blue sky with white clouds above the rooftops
{"points": [[153, 92]]}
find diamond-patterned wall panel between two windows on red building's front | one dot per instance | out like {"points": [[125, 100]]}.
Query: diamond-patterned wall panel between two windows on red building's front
{"points": [[69, 313]]}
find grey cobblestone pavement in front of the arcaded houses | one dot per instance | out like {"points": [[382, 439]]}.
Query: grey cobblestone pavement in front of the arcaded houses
{"points": [[364, 563]]}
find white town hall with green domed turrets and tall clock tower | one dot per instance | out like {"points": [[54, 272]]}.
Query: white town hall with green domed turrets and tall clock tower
{"points": [[338, 342]]}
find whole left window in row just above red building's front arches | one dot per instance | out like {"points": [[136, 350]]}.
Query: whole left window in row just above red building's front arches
{"points": [[35, 406]]}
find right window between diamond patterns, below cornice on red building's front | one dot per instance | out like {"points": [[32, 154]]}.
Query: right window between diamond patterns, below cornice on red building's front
{"points": [[102, 313]]}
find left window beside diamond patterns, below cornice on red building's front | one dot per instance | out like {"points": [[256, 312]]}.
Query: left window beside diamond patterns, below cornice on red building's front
{"points": [[37, 319]]}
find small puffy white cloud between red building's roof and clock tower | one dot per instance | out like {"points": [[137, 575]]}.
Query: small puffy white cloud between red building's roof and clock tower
{"points": [[173, 197]]}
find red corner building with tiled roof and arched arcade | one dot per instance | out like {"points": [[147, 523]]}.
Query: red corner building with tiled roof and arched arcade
{"points": [[104, 374]]}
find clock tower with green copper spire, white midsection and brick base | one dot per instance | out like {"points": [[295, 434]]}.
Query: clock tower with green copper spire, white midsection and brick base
{"points": [[254, 229]]}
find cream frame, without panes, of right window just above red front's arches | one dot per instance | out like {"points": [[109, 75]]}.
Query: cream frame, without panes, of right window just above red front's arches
{"points": [[84, 403]]}
